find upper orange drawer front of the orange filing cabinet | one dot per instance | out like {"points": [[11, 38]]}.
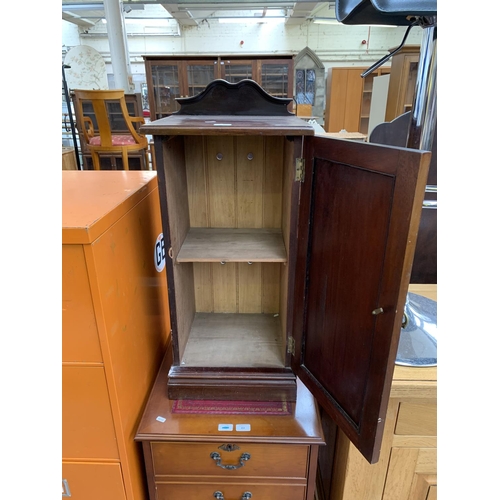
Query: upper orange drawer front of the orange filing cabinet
{"points": [[80, 340]]}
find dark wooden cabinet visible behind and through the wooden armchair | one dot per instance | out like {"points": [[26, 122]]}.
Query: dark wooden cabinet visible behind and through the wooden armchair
{"points": [[137, 160]]}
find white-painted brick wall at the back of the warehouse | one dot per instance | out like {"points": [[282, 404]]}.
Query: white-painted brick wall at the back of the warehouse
{"points": [[335, 45]]}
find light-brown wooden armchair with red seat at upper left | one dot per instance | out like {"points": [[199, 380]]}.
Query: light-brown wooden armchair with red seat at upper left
{"points": [[98, 126]]}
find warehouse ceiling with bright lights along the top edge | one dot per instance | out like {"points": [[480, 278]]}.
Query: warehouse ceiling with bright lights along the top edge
{"points": [[194, 12]]}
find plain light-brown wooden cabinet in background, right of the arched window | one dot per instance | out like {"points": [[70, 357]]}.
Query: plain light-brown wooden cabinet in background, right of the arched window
{"points": [[348, 99]]}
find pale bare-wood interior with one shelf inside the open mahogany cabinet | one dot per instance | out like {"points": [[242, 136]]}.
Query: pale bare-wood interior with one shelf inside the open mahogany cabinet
{"points": [[228, 200]]}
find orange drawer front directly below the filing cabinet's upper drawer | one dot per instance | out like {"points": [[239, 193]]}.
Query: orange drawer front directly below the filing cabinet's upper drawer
{"points": [[87, 425]]}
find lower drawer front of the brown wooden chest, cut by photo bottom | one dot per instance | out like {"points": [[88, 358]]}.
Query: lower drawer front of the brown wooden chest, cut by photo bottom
{"points": [[206, 491]]}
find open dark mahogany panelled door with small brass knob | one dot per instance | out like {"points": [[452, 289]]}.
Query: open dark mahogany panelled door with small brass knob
{"points": [[359, 214]]}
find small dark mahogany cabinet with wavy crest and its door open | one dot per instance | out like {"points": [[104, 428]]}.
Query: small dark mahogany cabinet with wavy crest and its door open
{"points": [[288, 256]]}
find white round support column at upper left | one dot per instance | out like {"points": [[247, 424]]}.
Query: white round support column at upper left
{"points": [[117, 36]]}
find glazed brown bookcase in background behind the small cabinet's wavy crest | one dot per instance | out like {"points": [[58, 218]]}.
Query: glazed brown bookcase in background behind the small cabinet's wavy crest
{"points": [[170, 77]]}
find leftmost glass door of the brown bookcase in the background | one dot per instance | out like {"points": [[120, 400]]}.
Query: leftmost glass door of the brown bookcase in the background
{"points": [[166, 88]]}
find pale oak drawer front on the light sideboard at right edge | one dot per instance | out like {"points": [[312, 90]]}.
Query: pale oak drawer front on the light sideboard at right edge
{"points": [[417, 419]]}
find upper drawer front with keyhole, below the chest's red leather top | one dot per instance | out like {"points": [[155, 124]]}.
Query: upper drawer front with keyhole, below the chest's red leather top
{"points": [[265, 460]]}
